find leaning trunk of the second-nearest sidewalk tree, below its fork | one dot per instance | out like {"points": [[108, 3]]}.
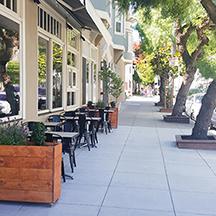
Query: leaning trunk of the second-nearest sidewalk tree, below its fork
{"points": [[179, 106]]}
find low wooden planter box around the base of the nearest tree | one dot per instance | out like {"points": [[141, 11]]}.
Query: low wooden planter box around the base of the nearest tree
{"points": [[183, 142]]}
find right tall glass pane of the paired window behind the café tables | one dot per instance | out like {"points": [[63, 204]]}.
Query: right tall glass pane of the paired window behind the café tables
{"points": [[57, 75]]}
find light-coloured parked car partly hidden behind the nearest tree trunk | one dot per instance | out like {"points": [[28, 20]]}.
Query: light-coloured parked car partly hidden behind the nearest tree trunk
{"points": [[193, 105]]}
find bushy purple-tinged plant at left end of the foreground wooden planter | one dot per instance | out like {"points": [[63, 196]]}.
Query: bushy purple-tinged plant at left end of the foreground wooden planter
{"points": [[12, 134]]}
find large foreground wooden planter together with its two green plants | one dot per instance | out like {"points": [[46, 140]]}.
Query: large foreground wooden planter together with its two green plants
{"points": [[29, 171]]}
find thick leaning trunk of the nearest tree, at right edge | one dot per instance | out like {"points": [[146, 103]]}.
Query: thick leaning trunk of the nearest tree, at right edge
{"points": [[203, 121]]}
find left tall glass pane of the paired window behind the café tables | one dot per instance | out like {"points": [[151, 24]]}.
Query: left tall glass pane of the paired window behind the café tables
{"points": [[42, 74]]}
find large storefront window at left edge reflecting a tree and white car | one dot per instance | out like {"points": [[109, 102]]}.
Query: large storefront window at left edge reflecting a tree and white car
{"points": [[9, 68]]}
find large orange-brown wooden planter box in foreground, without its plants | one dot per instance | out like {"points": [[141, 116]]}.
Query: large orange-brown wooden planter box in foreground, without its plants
{"points": [[30, 173]]}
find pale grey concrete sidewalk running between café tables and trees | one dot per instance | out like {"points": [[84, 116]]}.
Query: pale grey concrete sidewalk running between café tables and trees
{"points": [[135, 171]]}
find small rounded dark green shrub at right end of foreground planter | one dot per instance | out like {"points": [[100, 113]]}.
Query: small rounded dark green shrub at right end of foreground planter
{"points": [[38, 134]]}
